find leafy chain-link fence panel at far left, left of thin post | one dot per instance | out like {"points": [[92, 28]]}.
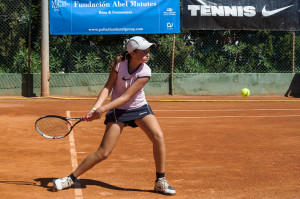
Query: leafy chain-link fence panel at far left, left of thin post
{"points": [[14, 21]]}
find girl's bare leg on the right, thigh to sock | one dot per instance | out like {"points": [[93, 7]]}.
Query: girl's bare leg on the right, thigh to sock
{"points": [[151, 127]]}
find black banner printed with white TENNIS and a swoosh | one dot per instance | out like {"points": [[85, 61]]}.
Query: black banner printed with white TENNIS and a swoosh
{"points": [[240, 15]]}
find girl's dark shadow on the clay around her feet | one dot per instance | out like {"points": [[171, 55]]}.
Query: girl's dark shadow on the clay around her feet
{"points": [[47, 183]]}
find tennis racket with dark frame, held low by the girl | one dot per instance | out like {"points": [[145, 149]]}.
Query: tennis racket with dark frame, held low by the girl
{"points": [[56, 127]]}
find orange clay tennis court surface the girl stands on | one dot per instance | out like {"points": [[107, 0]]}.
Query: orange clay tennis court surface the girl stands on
{"points": [[217, 147]]}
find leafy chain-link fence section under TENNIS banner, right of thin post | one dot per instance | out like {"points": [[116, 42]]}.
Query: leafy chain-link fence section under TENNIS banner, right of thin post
{"points": [[236, 52]]}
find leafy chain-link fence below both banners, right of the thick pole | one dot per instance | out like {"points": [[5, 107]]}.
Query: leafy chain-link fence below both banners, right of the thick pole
{"points": [[194, 52]]}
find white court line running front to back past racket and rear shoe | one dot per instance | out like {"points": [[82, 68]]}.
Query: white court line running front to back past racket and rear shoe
{"points": [[77, 184]]}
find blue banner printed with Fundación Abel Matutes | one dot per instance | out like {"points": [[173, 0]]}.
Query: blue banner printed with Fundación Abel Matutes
{"points": [[82, 17]]}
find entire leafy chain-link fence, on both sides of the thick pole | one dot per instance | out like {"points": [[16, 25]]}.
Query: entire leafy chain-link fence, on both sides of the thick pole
{"points": [[187, 52]]}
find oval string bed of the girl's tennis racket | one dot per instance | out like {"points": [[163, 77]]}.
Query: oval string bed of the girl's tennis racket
{"points": [[54, 127]]}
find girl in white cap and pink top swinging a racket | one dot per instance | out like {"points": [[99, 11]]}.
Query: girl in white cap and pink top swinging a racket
{"points": [[128, 107]]}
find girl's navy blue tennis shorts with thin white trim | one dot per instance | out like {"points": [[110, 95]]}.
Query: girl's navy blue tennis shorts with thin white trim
{"points": [[128, 116]]}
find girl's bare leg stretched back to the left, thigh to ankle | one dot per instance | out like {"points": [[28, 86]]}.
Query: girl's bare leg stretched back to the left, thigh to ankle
{"points": [[109, 140]]}
